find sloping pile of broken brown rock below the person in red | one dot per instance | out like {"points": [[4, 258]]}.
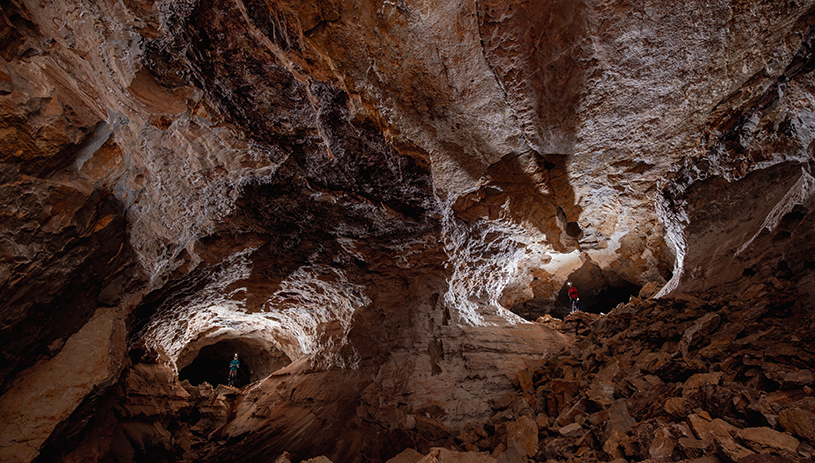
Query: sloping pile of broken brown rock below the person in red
{"points": [[674, 379]]}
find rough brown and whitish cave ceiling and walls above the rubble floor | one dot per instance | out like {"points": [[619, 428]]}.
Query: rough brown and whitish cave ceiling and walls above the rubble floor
{"points": [[333, 185]]}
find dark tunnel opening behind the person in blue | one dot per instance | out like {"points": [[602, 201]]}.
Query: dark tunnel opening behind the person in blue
{"points": [[211, 363]]}
